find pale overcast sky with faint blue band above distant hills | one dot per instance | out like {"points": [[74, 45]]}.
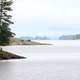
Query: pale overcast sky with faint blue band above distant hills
{"points": [[46, 17]]}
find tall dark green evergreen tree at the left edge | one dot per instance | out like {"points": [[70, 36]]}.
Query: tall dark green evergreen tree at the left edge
{"points": [[5, 31]]}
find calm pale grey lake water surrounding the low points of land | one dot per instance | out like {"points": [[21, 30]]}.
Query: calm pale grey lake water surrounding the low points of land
{"points": [[60, 61]]}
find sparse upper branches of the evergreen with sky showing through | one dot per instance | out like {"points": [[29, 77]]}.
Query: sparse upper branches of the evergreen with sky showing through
{"points": [[5, 7]]}
